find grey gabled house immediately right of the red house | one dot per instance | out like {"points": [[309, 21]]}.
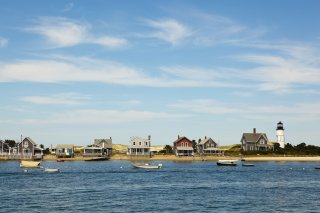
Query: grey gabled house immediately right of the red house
{"points": [[208, 146]]}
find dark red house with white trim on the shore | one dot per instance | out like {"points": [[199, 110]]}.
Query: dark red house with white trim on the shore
{"points": [[183, 147]]}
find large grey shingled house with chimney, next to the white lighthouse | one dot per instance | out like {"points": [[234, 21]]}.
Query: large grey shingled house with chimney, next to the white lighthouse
{"points": [[255, 141]]}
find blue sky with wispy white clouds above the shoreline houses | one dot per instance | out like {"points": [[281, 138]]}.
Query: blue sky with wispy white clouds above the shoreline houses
{"points": [[73, 71]]}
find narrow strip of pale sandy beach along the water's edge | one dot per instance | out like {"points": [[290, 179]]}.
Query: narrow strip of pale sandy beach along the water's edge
{"points": [[197, 158]]}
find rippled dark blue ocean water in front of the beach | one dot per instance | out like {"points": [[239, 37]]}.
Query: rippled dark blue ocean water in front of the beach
{"points": [[114, 186]]}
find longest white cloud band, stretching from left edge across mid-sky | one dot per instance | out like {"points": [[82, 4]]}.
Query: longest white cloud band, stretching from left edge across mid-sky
{"points": [[83, 69]]}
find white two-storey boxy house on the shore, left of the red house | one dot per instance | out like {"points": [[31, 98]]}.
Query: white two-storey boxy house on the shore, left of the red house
{"points": [[139, 146]]}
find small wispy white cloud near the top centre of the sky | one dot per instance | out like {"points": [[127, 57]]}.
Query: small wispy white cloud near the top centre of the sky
{"points": [[168, 30]]}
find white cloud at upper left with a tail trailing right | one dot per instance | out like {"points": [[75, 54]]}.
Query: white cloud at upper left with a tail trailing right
{"points": [[63, 32]]}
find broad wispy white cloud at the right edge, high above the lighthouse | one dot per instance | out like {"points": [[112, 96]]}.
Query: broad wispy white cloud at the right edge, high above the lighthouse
{"points": [[290, 65]]}
